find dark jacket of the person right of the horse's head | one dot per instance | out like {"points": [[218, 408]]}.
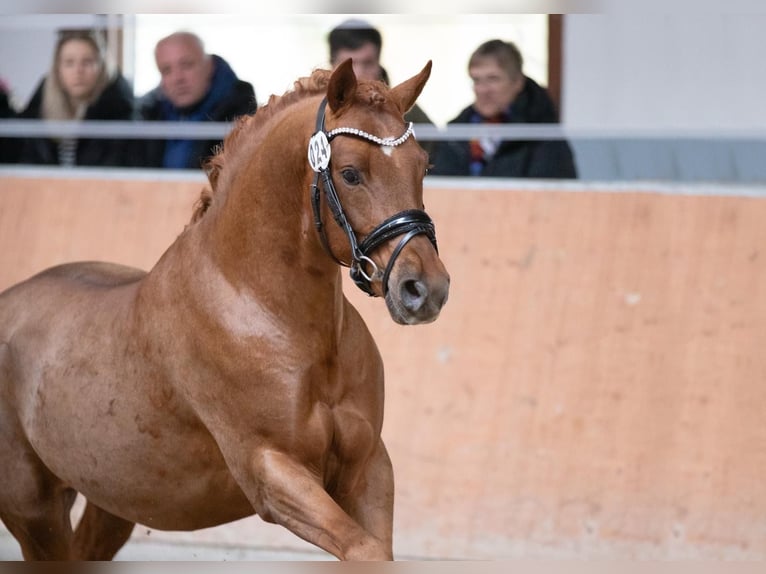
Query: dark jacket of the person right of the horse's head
{"points": [[513, 158]]}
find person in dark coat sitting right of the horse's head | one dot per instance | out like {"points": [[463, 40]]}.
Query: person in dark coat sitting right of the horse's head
{"points": [[503, 94]]}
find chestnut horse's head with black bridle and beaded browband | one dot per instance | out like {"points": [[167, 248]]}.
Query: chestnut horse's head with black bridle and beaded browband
{"points": [[368, 178]]}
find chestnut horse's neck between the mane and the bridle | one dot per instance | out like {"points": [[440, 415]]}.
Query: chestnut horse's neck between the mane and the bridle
{"points": [[263, 228]]}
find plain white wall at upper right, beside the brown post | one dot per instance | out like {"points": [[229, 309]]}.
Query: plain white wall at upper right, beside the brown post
{"points": [[665, 70]]}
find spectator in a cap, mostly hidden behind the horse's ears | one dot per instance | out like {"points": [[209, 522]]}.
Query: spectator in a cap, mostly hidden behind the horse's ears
{"points": [[360, 41]]}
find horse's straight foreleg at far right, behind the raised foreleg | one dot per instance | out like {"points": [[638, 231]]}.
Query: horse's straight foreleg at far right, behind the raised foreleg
{"points": [[371, 503]]}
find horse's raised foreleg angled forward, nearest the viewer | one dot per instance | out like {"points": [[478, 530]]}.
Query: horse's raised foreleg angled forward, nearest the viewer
{"points": [[290, 495]]}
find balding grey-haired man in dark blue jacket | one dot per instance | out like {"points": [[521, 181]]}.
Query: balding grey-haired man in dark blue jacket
{"points": [[195, 86]]}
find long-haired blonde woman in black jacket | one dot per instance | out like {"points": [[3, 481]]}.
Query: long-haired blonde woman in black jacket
{"points": [[79, 87]]}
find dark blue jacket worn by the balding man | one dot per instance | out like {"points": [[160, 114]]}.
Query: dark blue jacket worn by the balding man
{"points": [[227, 98]]}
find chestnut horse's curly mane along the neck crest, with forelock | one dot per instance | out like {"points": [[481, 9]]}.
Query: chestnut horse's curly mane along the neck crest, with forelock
{"points": [[316, 83]]}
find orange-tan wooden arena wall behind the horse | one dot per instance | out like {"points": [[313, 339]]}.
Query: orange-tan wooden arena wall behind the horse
{"points": [[595, 386]]}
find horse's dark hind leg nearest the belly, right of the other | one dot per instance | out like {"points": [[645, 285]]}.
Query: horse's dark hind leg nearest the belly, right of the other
{"points": [[99, 534]]}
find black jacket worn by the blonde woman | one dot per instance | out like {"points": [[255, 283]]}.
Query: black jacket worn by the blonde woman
{"points": [[114, 103]]}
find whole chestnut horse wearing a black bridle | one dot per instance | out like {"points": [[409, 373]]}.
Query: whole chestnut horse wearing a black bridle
{"points": [[234, 378]]}
